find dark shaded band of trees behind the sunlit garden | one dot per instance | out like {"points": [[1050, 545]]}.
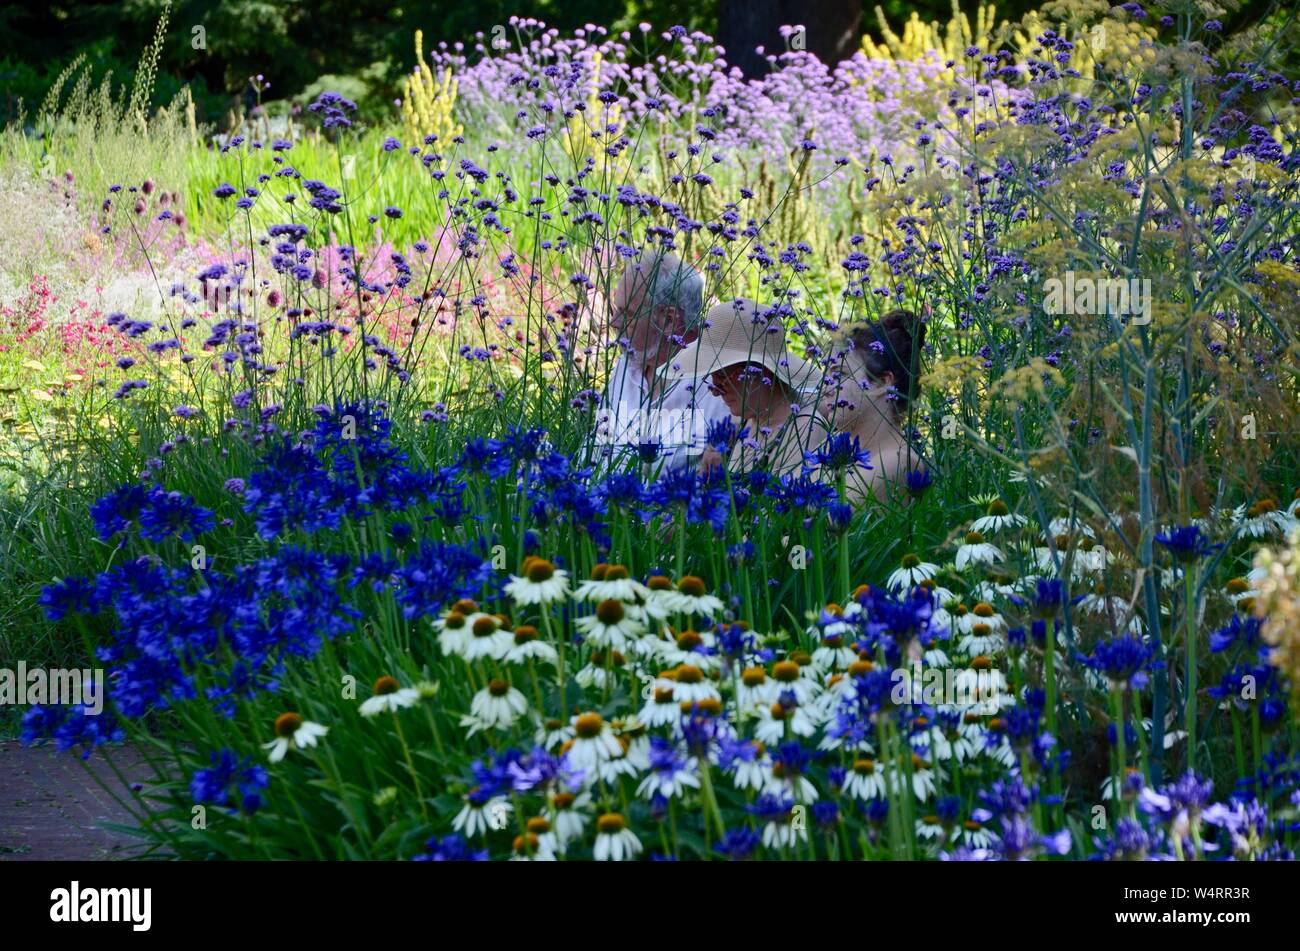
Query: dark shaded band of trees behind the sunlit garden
{"points": [[296, 44]]}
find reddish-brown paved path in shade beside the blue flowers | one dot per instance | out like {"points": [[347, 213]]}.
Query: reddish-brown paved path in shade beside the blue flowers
{"points": [[53, 809]]}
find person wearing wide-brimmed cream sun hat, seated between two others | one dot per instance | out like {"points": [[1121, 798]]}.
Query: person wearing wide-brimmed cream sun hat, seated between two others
{"points": [[742, 353]]}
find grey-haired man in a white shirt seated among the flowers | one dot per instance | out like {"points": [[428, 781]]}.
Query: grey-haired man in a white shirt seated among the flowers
{"points": [[656, 311]]}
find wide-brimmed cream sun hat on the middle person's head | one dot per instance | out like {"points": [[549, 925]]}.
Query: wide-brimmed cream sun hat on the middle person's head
{"points": [[739, 332]]}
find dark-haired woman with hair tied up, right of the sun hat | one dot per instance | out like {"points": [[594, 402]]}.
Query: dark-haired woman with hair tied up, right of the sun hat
{"points": [[868, 390]]}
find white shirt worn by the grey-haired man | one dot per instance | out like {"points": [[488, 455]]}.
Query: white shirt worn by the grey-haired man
{"points": [[677, 418]]}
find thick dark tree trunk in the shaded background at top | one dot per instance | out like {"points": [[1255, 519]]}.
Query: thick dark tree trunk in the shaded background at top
{"points": [[834, 31]]}
